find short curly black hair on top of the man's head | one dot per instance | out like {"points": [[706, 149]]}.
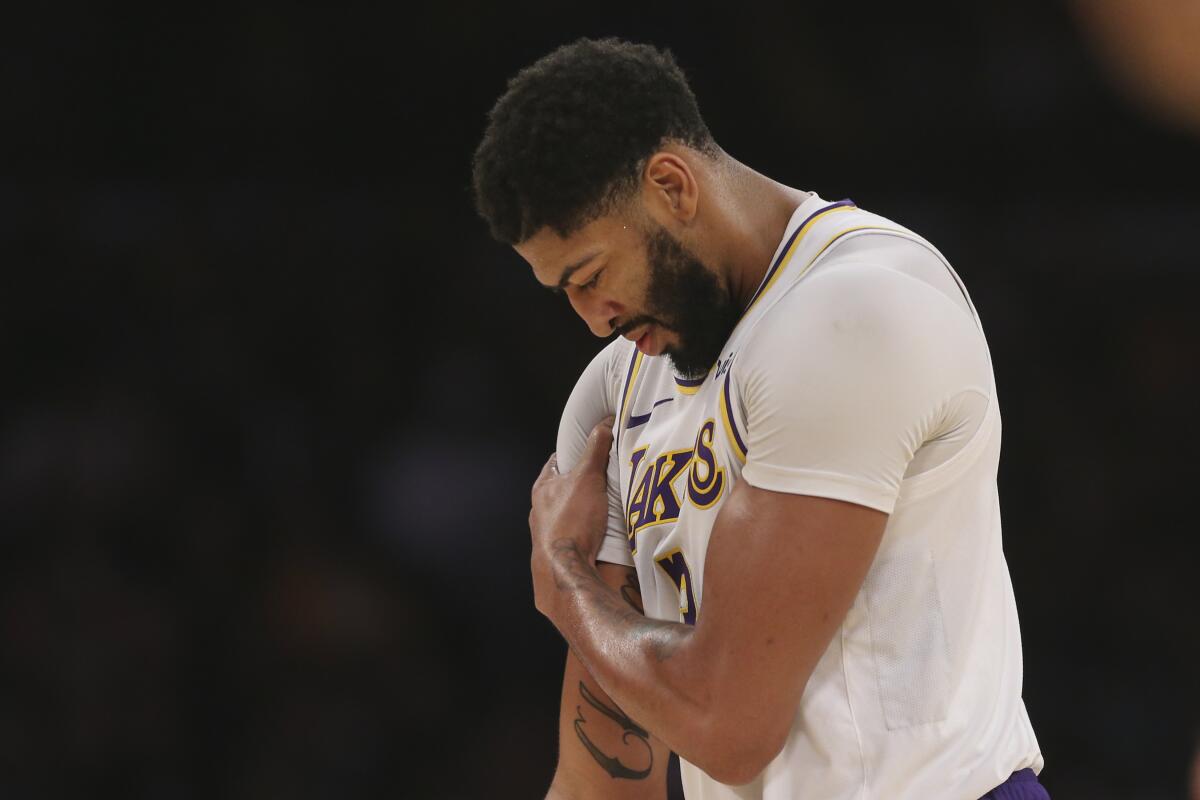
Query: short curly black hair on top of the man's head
{"points": [[572, 133]]}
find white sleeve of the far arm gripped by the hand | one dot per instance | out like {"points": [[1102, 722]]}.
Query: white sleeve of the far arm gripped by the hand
{"points": [[592, 400]]}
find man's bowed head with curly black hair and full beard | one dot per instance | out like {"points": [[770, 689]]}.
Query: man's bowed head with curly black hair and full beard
{"points": [[591, 166]]}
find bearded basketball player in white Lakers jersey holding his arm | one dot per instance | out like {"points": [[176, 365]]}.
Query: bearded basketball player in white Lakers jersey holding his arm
{"points": [[789, 456]]}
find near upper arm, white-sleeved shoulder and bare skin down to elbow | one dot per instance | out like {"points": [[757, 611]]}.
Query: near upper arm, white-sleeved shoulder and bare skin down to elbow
{"points": [[873, 360]]}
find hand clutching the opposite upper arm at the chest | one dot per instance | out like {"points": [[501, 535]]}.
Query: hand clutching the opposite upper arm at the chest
{"points": [[569, 513]]}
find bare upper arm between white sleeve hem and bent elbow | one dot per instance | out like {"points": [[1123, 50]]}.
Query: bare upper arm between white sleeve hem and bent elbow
{"points": [[781, 575]]}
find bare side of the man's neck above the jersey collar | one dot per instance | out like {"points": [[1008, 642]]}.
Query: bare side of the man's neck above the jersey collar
{"points": [[758, 212]]}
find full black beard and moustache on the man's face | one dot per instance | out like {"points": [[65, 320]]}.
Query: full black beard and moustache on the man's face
{"points": [[688, 299]]}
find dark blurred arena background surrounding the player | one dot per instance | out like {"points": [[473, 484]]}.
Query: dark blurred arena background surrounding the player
{"points": [[273, 401]]}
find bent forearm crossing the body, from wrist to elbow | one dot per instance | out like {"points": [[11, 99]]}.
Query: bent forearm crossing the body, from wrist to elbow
{"points": [[650, 667]]}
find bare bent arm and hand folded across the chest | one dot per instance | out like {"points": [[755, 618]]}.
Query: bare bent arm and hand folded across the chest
{"points": [[723, 693]]}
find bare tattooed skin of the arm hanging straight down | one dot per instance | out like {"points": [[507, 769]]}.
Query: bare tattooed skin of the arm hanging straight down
{"points": [[603, 754]]}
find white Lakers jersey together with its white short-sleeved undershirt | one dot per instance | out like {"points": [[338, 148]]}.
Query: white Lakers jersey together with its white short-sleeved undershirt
{"points": [[859, 372]]}
